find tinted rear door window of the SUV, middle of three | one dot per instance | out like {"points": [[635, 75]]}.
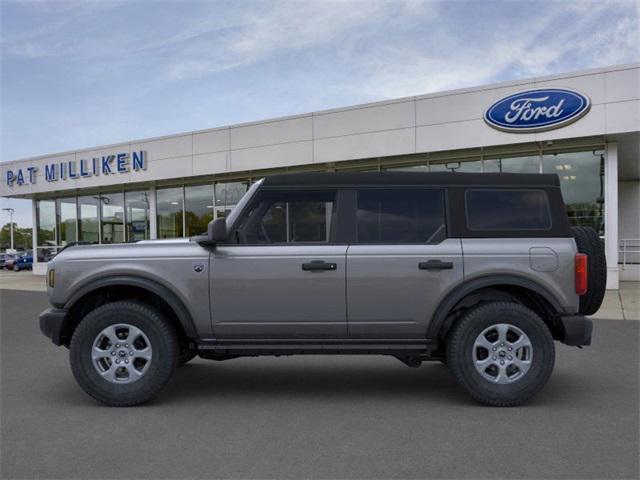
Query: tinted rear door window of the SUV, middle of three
{"points": [[401, 216]]}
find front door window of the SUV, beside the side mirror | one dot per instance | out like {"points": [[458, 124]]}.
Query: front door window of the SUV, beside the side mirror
{"points": [[289, 217]]}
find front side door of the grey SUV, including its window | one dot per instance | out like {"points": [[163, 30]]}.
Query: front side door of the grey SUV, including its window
{"points": [[283, 277]]}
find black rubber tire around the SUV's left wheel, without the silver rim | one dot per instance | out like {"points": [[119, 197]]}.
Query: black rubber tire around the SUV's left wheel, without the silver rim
{"points": [[164, 346]]}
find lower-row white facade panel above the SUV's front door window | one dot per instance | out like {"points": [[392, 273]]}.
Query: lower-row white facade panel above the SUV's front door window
{"points": [[287, 154]]}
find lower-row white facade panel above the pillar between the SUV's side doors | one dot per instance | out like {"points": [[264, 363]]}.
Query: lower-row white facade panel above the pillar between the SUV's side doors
{"points": [[367, 145]]}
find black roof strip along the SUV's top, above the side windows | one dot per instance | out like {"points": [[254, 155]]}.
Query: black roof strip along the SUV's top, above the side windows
{"points": [[412, 178]]}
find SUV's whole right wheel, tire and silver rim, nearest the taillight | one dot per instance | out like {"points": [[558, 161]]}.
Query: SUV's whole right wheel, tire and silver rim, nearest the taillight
{"points": [[502, 353]]}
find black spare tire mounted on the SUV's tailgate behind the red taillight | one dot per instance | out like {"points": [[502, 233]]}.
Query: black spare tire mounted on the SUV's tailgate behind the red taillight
{"points": [[588, 242]]}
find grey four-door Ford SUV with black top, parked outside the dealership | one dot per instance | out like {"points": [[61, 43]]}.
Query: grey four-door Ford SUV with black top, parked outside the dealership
{"points": [[479, 271]]}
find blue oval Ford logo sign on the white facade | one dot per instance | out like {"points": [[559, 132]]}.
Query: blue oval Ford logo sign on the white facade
{"points": [[537, 110]]}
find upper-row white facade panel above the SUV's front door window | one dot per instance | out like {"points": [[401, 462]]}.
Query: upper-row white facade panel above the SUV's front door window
{"points": [[271, 133]]}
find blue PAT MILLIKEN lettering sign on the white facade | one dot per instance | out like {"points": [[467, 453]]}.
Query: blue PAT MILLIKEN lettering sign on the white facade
{"points": [[117, 163]]}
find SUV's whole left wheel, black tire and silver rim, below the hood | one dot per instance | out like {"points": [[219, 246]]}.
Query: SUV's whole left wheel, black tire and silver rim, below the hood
{"points": [[123, 353]]}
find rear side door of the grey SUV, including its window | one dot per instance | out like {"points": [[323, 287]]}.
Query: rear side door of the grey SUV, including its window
{"points": [[401, 263]]}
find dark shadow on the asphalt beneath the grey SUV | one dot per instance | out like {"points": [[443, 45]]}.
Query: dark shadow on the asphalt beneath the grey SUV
{"points": [[432, 383]]}
